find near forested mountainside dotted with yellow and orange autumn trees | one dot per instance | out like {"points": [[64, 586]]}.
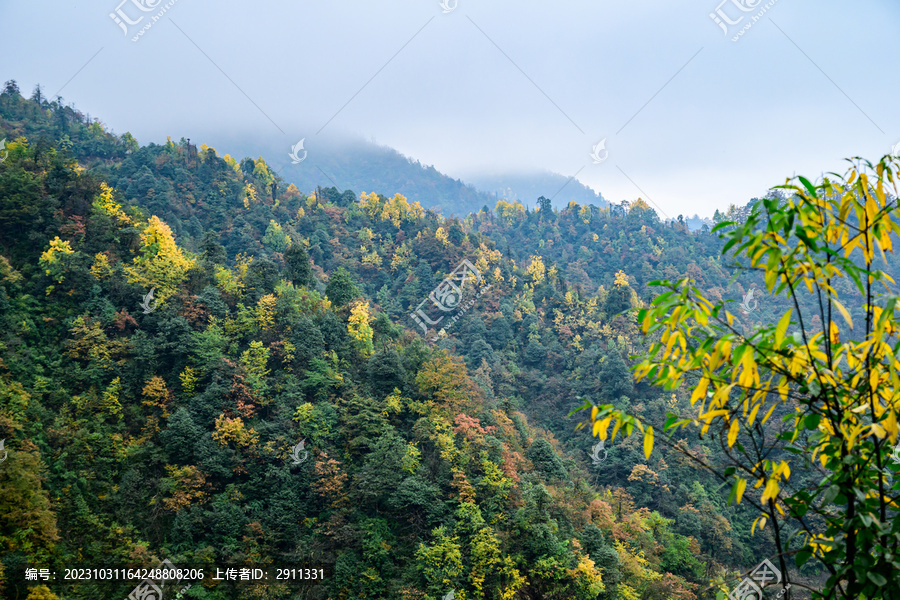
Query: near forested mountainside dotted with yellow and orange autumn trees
{"points": [[142, 427]]}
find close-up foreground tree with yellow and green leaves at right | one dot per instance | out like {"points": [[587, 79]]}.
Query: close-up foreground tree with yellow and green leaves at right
{"points": [[804, 407]]}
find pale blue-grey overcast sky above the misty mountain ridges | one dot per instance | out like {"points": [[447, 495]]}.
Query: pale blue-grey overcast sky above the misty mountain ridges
{"points": [[692, 120]]}
